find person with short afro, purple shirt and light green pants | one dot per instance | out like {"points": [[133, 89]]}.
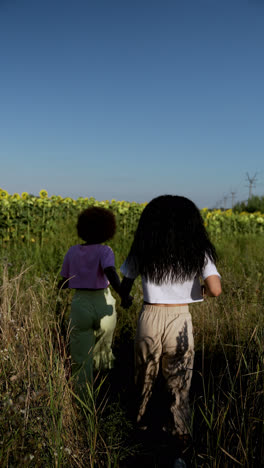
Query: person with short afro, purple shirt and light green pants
{"points": [[89, 268]]}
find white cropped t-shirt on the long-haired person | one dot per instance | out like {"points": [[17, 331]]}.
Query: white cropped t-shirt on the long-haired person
{"points": [[172, 292]]}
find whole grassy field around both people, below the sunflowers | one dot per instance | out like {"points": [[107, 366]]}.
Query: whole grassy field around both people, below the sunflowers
{"points": [[43, 424]]}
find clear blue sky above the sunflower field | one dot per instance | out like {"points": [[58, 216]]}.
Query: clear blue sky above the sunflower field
{"points": [[130, 99]]}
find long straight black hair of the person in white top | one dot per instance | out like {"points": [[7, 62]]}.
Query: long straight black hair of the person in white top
{"points": [[171, 242]]}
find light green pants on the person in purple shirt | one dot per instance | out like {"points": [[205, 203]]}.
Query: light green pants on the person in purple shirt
{"points": [[92, 324]]}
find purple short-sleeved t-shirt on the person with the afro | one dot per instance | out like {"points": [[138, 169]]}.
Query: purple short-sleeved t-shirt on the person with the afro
{"points": [[84, 266]]}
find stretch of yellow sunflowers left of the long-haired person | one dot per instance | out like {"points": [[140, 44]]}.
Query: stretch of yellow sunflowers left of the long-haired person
{"points": [[33, 219]]}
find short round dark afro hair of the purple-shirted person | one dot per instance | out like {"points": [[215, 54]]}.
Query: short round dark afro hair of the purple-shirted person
{"points": [[96, 225]]}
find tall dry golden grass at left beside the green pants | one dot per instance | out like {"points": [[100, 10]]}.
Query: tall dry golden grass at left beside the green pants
{"points": [[42, 421]]}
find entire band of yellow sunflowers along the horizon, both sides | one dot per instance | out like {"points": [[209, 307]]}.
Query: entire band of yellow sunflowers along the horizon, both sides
{"points": [[33, 219]]}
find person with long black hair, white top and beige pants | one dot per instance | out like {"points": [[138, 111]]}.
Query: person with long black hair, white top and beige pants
{"points": [[171, 251]]}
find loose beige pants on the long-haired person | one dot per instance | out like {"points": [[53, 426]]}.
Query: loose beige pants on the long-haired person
{"points": [[164, 337]]}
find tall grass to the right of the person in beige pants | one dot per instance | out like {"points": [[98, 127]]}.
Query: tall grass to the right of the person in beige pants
{"points": [[229, 369]]}
